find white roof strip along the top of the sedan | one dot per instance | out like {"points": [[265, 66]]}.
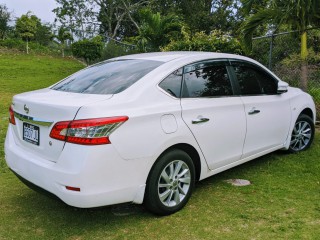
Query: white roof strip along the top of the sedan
{"points": [[169, 56]]}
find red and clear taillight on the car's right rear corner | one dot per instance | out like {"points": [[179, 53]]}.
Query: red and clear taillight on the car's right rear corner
{"points": [[87, 131]]}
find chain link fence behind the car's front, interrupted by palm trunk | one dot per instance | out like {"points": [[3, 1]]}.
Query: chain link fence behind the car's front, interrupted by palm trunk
{"points": [[281, 54]]}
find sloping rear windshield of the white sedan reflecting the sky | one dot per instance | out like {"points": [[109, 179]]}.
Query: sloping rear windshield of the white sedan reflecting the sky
{"points": [[109, 77]]}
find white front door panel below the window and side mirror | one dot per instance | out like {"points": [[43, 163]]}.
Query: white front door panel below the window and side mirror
{"points": [[269, 126]]}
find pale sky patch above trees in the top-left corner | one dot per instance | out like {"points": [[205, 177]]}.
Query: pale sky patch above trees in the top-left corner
{"points": [[41, 8]]}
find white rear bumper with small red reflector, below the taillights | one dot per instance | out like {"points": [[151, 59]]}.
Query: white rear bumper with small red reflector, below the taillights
{"points": [[103, 177]]}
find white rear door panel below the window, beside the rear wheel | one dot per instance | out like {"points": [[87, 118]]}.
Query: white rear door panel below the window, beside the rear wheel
{"points": [[221, 138]]}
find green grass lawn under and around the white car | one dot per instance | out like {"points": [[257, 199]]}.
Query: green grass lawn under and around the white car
{"points": [[283, 201]]}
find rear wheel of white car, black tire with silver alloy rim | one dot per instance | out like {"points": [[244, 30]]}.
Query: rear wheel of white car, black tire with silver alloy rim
{"points": [[167, 193]]}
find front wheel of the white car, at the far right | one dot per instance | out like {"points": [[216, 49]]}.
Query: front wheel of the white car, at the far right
{"points": [[302, 134]]}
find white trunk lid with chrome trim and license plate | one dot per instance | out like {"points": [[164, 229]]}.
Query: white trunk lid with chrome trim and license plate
{"points": [[36, 113]]}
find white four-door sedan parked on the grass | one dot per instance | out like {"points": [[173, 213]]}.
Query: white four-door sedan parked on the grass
{"points": [[144, 128]]}
